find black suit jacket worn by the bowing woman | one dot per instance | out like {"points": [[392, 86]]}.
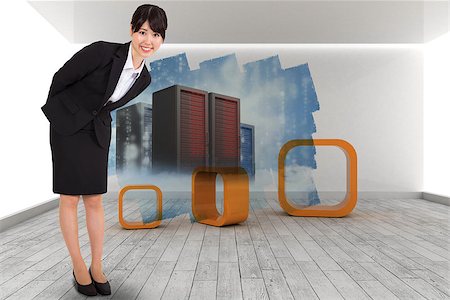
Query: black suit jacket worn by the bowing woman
{"points": [[81, 87]]}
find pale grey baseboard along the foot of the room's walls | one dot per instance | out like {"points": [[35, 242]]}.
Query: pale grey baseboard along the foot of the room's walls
{"points": [[28, 213]]}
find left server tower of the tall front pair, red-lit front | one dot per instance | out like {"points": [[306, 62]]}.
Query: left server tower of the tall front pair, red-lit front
{"points": [[180, 129]]}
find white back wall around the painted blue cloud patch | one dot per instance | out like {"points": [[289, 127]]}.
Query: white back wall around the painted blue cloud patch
{"points": [[370, 96]]}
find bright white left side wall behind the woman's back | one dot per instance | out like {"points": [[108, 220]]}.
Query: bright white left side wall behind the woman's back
{"points": [[31, 52]]}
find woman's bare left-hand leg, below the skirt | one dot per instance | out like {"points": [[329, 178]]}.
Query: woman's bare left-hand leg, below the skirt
{"points": [[68, 220]]}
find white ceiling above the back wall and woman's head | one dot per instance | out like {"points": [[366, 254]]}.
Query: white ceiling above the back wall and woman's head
{"points": [[360, 22]]}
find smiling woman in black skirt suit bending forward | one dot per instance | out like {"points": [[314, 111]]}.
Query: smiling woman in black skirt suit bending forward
{"points": [[97, 79]]}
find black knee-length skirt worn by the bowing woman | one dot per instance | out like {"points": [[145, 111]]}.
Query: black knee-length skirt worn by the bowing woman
{"points": [[80, 165]]}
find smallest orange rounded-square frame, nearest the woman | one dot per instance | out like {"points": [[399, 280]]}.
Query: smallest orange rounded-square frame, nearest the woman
{"points": [[140, 225]]}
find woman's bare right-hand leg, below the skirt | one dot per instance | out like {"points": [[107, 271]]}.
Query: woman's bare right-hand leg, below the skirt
{"points": [[96, 228]]}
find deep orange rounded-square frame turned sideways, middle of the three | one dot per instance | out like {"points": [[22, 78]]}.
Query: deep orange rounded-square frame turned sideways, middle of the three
{"points": [[235, 200]]}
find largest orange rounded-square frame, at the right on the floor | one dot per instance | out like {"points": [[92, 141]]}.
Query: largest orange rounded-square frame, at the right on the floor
{"points": [[338, 210]]}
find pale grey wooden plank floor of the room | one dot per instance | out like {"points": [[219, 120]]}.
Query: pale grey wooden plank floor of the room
{"points": [[386, 249]]}
